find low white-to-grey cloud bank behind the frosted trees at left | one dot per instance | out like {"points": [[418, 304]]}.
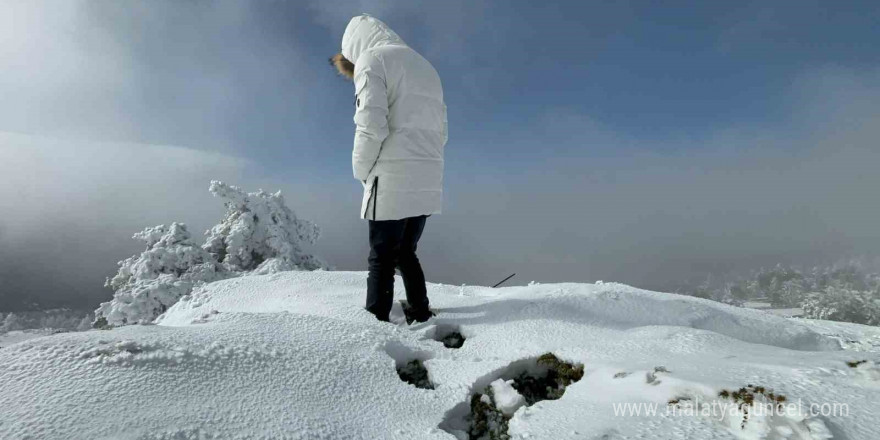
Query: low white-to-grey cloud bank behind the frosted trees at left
{"points": [[70, 209]]}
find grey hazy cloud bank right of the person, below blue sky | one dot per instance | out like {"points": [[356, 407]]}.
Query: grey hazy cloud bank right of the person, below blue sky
{"points": [[591, 203]]}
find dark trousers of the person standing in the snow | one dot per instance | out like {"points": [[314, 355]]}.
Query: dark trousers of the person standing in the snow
{"points": [[393, 245]]}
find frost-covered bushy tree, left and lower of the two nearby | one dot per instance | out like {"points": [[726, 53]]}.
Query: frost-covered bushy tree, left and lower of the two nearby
{"points": [[147, 284]]}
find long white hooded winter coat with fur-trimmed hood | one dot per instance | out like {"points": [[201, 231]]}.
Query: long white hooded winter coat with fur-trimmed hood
{"points": [[401, 123]]}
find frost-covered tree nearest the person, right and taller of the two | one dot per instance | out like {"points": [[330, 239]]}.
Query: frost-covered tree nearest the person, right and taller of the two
{"points": [[260, 230]]}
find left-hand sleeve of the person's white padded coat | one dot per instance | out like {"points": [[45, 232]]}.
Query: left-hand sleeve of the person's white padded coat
{"points": [[370, 116]]}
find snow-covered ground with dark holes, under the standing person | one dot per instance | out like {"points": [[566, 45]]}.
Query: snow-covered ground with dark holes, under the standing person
{"points": [[294, 356]]}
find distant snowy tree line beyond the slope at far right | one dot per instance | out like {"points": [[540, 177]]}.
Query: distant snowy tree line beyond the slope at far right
{"points": [[848, 292]]}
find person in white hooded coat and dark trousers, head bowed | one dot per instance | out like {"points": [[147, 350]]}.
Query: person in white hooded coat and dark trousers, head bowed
{"points": [[401, 130]]}
